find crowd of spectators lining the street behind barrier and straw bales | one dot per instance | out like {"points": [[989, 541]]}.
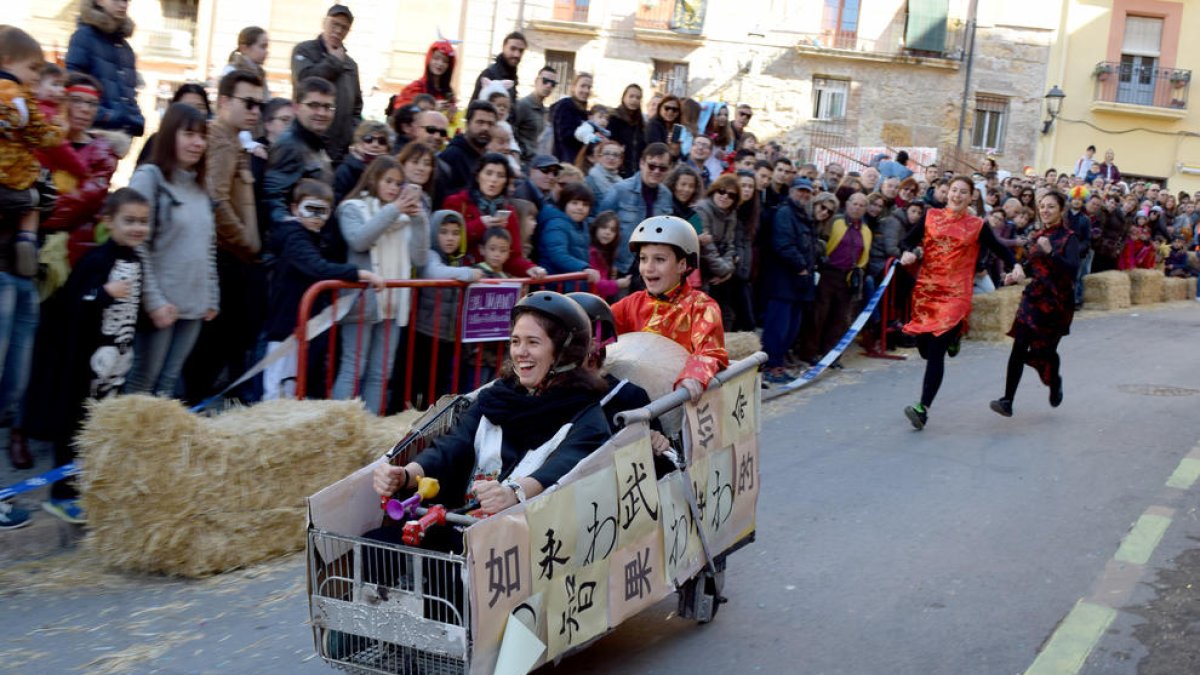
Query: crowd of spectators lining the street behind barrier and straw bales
{"points": [[251, 200]]}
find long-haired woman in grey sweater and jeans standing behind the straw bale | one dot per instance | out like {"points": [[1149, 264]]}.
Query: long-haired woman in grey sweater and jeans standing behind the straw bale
{"points": [[181, 289]]}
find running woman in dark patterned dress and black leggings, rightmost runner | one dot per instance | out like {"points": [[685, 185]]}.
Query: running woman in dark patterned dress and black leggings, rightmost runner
{"points": [[1048, 304]]}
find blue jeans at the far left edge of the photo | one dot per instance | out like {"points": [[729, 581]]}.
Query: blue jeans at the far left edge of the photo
{"points": [[19, 327]]}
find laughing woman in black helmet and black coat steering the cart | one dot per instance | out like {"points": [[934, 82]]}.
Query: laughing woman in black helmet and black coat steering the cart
{"points": [[513, 443]]}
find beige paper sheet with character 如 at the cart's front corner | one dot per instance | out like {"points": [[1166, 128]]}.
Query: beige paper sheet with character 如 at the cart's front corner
{"points": [[499, 555]]}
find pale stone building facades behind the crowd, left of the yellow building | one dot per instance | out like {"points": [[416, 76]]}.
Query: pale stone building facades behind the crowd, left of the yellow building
{"points": [[831, 80]]}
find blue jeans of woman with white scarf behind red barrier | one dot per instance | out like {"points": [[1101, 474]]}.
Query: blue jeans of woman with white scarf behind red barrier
{"points": [[374, 361]]}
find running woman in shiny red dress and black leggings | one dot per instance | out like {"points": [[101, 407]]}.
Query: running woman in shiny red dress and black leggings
{"points": [[949, 246]]}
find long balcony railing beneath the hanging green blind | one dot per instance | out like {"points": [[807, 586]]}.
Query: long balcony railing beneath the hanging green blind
{"points": [[890, 41]]}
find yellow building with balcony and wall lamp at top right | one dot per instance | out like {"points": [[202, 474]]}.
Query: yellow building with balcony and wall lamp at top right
{"points": [[1126, 70]]}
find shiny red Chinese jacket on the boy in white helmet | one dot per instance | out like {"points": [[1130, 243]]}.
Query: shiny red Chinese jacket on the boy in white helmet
{"points": [[685, 315]]}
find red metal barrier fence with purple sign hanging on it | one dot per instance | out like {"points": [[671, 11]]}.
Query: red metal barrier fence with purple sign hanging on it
{"points": [[429, 342]]}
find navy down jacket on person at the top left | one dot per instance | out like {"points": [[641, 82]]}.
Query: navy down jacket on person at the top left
{"points": [[99, 47]]}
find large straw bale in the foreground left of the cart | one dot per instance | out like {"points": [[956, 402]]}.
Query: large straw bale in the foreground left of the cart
{"points": [[169, 492]]}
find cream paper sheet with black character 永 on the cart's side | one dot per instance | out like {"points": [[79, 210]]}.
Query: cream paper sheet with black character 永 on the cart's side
{"points": [[553, 536]]}
